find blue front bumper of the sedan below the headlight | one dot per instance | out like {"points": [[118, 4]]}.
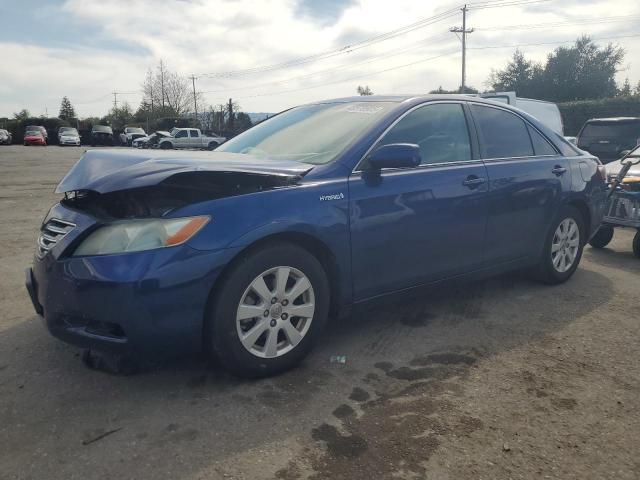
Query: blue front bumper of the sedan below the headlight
{"points": [[152, 301]]}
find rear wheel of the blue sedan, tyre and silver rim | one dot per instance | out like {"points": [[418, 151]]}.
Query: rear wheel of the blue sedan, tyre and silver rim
{"points": [[563, 247]]}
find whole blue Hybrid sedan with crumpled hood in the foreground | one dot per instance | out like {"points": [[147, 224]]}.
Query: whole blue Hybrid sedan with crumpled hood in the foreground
{"points": [[245, 250]]}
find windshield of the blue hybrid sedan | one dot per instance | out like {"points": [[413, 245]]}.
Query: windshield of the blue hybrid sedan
{"points": [[313, 134]]}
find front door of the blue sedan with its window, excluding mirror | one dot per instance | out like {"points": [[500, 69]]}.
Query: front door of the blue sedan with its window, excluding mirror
{"points": [[417, 225]]}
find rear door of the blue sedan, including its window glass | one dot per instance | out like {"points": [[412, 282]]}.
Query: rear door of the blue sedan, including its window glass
{"points": [[527, 180]]}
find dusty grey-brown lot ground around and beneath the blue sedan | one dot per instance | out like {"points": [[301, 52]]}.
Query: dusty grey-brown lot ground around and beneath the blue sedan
{"points": [[502, 379]]}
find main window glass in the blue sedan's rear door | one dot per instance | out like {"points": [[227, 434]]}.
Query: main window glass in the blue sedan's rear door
{"points": [[502, 134]]}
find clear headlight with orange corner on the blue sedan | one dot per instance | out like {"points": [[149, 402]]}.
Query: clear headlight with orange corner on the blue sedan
{"points": [[139, 235]]}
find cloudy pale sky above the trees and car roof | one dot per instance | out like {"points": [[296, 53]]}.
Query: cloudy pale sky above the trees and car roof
{"points": [[269, 55]]}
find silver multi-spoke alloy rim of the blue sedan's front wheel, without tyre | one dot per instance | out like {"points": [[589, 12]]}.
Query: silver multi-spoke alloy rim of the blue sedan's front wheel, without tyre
{"points": [[275, 312]]}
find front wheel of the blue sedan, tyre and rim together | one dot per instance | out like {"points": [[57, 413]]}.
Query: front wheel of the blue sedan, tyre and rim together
{"points": [[269, 311]]}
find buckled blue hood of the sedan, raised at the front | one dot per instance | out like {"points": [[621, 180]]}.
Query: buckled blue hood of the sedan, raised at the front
{"points": [[105, 171]]}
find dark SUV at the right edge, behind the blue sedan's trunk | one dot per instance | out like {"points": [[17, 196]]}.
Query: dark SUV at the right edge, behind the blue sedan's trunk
{"points": [[607, 138]]}
